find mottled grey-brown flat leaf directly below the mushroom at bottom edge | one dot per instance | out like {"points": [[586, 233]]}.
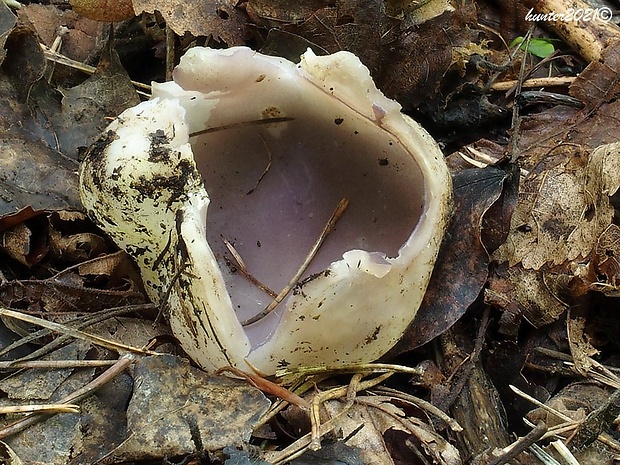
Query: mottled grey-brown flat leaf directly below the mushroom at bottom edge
{"points": [[177, 410]]}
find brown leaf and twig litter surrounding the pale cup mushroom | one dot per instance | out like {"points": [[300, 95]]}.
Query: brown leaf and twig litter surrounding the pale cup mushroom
{"points": [[544, 262]]}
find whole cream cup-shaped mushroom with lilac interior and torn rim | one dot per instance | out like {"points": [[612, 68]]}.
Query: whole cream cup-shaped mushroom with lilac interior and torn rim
{"points": [[224, 184]]}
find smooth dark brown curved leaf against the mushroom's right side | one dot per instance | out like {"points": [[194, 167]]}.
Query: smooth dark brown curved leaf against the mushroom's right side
{"points": [[462, 267]]}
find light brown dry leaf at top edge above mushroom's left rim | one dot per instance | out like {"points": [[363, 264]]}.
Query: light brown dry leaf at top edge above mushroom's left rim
{"points": [[219, 19]]}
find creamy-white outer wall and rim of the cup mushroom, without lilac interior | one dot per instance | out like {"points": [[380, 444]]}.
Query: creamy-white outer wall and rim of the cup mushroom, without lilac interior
{"points": [[140, 183]]}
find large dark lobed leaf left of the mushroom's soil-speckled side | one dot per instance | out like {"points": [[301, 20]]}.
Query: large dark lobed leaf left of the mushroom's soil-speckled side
{"points": [[33, 133]]}
